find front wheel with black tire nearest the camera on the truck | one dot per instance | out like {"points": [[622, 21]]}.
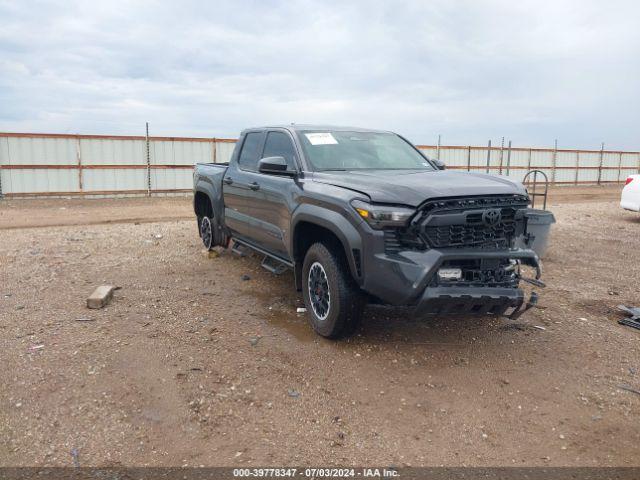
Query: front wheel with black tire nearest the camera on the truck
{"points": [[334, 306]]}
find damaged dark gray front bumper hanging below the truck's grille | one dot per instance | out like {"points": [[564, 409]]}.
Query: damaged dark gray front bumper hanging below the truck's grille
{"points": [[411, 278]]}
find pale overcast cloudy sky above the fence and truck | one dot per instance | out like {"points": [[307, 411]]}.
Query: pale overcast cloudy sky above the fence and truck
{"points": [[530, 71]]}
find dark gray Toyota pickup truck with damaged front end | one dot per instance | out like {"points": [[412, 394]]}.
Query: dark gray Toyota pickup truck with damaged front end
{"points": [[362, 215]]}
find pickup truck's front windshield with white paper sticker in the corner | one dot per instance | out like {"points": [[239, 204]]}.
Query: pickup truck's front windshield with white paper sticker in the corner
{"points": [[342, 150]]}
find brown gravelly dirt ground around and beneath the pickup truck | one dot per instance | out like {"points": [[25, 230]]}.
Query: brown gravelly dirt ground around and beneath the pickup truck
{"points": [[192, 365]]}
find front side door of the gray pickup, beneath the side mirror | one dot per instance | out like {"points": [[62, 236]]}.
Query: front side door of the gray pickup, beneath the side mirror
{"points": [[271, 203]]}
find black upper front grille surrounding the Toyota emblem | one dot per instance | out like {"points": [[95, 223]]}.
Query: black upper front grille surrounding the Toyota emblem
{"points": [[458, 223]]}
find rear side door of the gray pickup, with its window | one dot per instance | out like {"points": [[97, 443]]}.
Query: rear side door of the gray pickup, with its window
{"points": [[237, 186]]}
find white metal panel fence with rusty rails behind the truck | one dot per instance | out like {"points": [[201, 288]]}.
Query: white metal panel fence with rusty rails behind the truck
{"points": [[65, 165]]}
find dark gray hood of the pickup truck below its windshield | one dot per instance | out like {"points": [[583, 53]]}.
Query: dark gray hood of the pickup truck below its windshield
{"points": [[412, 187]]}
